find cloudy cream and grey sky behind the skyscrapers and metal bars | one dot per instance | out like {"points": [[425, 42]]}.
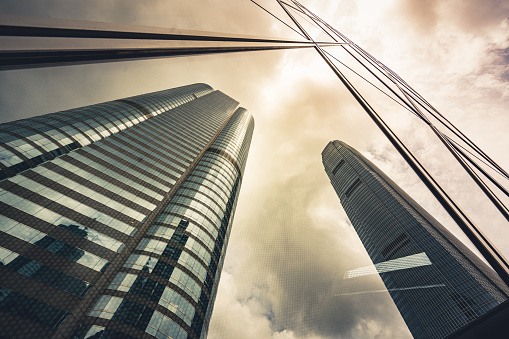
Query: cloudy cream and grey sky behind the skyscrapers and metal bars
{"points": [[291, 241]]}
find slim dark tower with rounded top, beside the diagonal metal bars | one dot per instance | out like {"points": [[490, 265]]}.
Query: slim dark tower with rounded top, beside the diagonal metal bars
{"points": [[436, 282]]}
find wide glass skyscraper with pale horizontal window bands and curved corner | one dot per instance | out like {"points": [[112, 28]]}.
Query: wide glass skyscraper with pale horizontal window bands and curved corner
{"points": [[115, 217]]}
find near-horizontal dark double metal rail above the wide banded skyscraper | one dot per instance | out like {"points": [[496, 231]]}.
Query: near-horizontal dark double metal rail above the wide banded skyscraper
{"points": [[94, 42]]}
